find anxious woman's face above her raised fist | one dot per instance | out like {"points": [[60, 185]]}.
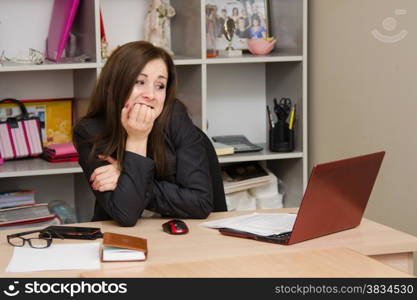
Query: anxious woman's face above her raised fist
{"points": [[151, 86]]}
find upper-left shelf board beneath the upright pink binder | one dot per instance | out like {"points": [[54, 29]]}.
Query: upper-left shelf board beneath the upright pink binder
{"points": [[16, 67]]}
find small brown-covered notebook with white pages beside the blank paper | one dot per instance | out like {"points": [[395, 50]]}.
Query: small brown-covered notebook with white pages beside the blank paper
{"points": [[121, 247]]}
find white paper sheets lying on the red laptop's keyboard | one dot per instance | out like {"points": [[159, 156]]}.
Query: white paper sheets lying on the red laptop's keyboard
{"points": [[262, 224]]}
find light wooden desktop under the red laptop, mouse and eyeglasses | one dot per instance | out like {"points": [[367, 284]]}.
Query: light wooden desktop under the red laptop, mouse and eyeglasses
{"points": [[202, 244]]}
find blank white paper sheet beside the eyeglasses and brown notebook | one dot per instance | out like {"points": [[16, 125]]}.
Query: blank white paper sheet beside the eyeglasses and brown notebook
{"points": [[57, 257]]}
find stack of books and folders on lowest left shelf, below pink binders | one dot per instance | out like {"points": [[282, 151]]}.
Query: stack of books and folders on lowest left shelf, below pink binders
{"points": [[18, 209]]}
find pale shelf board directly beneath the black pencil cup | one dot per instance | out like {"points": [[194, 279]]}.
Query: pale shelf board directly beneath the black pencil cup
{"points": [[261, 155]]}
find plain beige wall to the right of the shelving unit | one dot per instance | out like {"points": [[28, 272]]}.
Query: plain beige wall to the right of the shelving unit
{"points": [[362, 95]]}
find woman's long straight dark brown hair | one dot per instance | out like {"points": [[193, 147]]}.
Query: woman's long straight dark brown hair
{"points": [[113, 88]]}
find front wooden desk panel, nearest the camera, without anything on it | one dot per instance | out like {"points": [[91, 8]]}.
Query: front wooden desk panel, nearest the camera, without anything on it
{"points": [[332, 262]]}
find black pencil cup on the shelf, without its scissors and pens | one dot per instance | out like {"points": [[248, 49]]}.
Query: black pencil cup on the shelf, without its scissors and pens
{"points": [[281, 138]]}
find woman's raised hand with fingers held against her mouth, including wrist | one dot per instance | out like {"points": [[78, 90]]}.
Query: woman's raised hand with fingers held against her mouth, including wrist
{"points": [[138, 121]]}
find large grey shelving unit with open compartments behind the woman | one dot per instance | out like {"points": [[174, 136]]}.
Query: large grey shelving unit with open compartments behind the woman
{"points": [[224, 95]]}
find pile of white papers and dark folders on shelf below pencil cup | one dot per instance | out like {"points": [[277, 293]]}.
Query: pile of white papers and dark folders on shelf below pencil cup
{"points": [[249, 186]]}
